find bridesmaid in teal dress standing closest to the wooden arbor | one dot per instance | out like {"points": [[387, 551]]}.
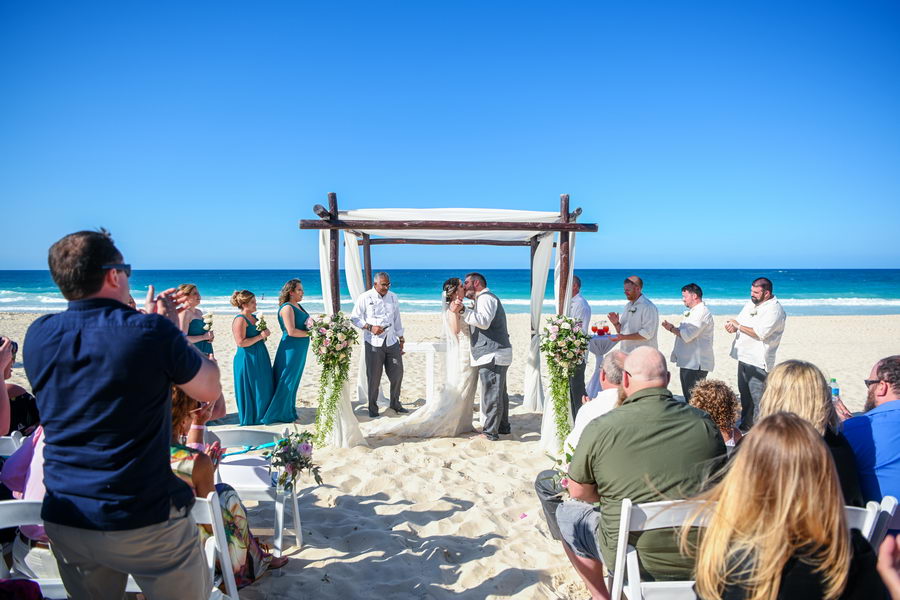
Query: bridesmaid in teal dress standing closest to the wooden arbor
{"points": [[291, 356]]}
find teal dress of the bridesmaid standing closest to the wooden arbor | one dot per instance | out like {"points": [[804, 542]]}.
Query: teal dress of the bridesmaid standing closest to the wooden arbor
{"points": [[289, 363]]}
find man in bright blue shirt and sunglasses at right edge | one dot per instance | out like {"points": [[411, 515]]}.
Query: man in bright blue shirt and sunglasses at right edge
{"points": [[875, 435]]}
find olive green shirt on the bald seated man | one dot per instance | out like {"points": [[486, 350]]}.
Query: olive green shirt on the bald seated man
{"points": [[651, 448]]}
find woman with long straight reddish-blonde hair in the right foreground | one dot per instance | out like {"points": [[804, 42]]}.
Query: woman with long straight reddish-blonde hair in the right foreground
{"points": [[777, 528]]}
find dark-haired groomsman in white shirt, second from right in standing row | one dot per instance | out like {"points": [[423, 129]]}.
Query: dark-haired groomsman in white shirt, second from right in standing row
{"points": [[693, 352]]}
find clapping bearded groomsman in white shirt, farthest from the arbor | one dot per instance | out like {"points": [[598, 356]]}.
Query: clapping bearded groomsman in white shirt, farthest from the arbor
{"points": [[759, 328]]}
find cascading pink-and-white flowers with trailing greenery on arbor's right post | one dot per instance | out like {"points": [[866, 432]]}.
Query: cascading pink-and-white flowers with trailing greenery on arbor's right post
{"points": [[564, 345]]}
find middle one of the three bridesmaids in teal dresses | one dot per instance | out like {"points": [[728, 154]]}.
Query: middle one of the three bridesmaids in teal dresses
{"points": [[252, 369]]}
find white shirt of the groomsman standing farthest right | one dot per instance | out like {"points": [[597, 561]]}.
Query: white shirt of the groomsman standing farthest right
{"points": [[767, 321]]}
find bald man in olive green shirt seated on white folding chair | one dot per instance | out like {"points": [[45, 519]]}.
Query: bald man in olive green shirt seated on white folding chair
{"points": [[650, 448]]}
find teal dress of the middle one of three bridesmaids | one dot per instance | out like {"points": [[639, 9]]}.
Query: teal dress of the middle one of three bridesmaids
{"points": [[252, 378]]}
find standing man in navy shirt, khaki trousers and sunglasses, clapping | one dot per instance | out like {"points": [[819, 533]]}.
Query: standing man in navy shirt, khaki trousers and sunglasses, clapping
{"points": [[103, 373]]}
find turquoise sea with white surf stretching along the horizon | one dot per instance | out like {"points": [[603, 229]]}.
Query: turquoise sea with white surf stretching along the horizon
{"points": [[801, 291]]}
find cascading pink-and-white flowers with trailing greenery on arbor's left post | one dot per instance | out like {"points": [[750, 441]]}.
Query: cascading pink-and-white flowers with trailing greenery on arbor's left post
{"points": [[332, 343]]}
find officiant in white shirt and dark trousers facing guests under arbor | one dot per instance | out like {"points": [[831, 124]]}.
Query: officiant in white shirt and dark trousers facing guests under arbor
{"points": [[377, 313]]}
